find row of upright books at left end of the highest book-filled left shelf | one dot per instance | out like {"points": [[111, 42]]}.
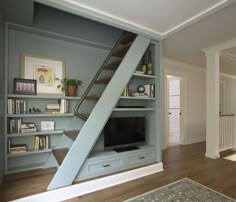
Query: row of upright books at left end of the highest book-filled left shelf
{"points": [[15, 106]]}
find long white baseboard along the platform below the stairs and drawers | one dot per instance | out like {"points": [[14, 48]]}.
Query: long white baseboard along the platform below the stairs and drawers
{"points": [[76, 190]]}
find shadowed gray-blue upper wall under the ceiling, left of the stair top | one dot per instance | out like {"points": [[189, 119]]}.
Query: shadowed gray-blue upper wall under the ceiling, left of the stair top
{"points": [[72, 25]]}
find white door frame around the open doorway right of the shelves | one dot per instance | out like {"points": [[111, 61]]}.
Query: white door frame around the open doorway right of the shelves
{"points": [[183, 106]]}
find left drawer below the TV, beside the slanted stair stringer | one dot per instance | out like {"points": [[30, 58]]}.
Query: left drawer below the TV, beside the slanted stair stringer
{"points": [[100, 167]]}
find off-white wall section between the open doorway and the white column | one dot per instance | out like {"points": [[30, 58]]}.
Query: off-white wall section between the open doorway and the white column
{"points": [[195, 106]]}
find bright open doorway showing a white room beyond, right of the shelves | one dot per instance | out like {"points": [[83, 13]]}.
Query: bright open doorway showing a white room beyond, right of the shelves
{"points": [[174, 109]]}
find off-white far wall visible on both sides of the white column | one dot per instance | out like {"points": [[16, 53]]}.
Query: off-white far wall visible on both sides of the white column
{"points": [[195, 124]]}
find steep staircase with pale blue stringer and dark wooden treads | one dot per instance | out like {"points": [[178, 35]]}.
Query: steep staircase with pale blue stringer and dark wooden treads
{"points": [[121, 62]]}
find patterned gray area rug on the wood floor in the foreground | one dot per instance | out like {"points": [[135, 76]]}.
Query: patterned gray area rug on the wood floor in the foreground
{"points": [[184, 190]]}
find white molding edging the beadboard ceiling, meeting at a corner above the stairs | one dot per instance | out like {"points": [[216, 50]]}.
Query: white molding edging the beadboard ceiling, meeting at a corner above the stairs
{"points": [[77, 8]]}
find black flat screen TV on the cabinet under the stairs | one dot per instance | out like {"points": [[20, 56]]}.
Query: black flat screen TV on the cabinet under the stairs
{"points": [[122, 132]]}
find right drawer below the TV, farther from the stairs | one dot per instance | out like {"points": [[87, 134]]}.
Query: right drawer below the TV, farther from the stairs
{"points": [[140, 158]]}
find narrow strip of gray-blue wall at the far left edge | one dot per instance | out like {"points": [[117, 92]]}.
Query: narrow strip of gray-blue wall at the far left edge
{"points": [[1, 97]]}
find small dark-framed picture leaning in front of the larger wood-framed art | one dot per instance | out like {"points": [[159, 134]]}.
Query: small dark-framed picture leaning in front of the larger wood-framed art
{"points": [[25, 86]]}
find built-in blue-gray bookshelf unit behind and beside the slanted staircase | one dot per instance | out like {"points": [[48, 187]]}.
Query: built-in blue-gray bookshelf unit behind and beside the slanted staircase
{"points": [[33, 159]]}
